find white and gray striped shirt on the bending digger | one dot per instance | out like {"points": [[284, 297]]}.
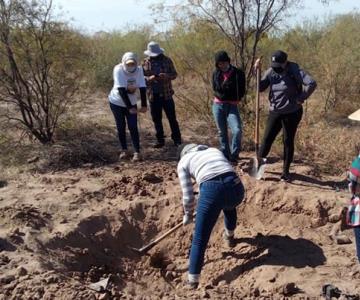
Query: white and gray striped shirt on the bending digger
{"points": [[200, 165]]}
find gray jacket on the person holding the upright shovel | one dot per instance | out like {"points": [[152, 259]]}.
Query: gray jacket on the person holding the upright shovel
{"points": [[287, 89]]}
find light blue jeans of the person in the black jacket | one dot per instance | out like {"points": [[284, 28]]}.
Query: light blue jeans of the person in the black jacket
{"points": [[228, 115]]}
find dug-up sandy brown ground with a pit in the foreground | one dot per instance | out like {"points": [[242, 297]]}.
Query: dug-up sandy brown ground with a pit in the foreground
{"points": [[61, 231]]}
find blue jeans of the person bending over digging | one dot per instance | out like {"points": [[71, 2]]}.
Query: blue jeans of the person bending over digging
{"points": [[222, 193]]}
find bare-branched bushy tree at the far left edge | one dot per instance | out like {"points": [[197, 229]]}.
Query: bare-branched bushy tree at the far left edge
{"points": [[39, 66]]}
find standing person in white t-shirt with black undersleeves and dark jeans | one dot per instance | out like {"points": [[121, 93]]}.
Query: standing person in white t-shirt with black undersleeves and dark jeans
{"points": [[128, 77]]}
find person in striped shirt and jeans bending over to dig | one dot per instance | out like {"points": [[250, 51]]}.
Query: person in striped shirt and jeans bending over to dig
{"points": [[220, 190]]}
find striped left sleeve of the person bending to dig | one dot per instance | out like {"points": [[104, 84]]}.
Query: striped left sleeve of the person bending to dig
{"points": [[187, 189]]}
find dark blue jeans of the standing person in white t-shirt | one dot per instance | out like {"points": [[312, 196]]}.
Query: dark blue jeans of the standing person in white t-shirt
{"points": [[123, 116]]}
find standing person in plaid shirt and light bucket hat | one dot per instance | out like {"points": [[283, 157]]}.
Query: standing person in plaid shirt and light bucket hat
{"points": [[159, 71]]}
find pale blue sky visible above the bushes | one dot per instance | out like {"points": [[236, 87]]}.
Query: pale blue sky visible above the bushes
{"points": [[95, 15]]}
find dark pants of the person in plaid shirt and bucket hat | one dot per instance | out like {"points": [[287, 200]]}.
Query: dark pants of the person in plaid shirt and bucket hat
{"points": [[168, 105]]}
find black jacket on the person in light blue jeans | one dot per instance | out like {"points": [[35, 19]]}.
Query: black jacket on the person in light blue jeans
{"points": [[232, 89]]}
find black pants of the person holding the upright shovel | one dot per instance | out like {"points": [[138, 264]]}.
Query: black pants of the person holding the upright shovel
{"points": [[289, 123]]}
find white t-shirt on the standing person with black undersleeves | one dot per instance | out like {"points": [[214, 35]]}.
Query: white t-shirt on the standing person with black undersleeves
{"points": [[123, 79]]}
